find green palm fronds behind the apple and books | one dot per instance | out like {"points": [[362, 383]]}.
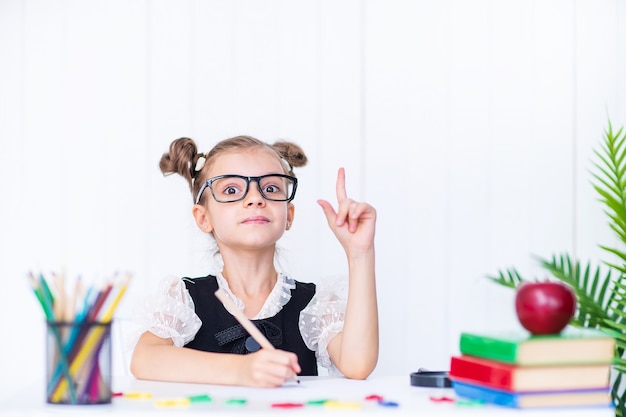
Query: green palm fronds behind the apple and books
{"points": [[601, 289]]}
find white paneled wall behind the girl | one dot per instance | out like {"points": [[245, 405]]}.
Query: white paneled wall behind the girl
{"points": [[469, 125]]}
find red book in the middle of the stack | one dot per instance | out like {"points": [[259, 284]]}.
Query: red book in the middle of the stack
{"points": [[515, 378]]}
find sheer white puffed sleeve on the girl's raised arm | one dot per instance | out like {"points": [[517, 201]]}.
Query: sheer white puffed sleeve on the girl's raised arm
{"points": [[323, 319]]}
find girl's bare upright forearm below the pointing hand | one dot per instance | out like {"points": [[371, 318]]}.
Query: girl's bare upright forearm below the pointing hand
{"points": [[355, 350]]}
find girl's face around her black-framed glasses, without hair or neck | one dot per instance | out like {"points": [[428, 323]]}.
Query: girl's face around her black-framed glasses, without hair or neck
{"points": [[254, 222]]}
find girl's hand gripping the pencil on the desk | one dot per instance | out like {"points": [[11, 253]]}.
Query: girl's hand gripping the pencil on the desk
{"points": [[269, 368]]}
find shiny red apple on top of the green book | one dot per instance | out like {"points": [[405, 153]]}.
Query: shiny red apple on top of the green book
{"points": [[544, 307]]}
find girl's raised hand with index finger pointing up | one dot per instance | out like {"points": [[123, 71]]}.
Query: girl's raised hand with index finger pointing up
{"points": [[353, 223]]}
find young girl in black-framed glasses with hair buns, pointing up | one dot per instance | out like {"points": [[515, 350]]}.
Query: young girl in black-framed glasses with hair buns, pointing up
{"points": [[243, 191]]}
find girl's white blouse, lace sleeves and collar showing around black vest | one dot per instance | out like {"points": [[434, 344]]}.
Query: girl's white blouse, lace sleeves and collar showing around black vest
{"points": [[170, 313]]}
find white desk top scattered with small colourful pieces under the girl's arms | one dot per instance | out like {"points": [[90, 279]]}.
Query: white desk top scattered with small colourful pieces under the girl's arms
{"points": [[411, 400]]}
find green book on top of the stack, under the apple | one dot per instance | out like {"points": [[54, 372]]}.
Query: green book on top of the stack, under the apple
{"points": [[570, 347]]}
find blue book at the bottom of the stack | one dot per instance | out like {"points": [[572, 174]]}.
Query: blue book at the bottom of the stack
{"points": [[541, 399]]}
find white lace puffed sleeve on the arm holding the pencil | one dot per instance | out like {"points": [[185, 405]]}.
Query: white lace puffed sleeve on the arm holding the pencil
{"points": [[170, 312]]}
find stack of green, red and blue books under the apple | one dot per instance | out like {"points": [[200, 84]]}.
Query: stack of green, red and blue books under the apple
{"points": [[569, 369]]}
